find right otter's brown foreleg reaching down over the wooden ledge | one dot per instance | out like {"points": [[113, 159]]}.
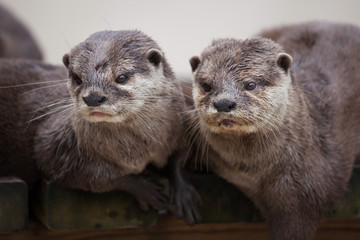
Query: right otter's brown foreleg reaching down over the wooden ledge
{"points": [[291, 212]]}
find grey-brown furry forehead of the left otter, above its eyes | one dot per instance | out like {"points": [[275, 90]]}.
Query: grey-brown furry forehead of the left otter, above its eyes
{"points": [[118, 50]]}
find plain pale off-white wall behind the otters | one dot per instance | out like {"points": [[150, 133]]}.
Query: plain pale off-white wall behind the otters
{"points": [[182, 28]]}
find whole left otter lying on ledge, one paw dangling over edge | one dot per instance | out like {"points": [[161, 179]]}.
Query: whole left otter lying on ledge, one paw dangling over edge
{"points": [[114, 109]]}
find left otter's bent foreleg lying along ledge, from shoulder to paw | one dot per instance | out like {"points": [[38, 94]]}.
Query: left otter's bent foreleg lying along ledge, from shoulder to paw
{"points": [[69, 170]]}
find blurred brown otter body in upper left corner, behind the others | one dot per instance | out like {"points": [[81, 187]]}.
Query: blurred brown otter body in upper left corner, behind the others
{"points": [[16, 41]]}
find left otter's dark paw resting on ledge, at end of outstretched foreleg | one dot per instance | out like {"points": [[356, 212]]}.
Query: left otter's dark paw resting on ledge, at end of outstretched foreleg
{"points": [[151, 194]]}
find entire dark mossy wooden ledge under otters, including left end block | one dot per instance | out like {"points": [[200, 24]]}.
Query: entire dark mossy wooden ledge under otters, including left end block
{"points": [[66, 209]]}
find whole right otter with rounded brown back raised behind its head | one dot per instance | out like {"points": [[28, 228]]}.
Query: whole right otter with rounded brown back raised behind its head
{"points": [[281, 119]]}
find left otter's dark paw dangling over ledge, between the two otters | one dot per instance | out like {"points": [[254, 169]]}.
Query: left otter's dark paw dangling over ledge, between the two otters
{"points": [[187, 201]]}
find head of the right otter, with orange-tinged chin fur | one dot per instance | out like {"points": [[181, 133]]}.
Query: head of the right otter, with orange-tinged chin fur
{"points": [[241, 86]]}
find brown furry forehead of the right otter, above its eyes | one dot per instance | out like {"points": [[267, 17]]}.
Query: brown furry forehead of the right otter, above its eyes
{"points": [[239, 57]]}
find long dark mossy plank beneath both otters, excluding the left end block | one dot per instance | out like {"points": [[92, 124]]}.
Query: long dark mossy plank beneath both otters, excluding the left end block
{"points": [[64, 209]]}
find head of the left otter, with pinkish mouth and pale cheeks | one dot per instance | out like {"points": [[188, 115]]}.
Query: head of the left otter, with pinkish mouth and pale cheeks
{"points": [[114, 75]]}
